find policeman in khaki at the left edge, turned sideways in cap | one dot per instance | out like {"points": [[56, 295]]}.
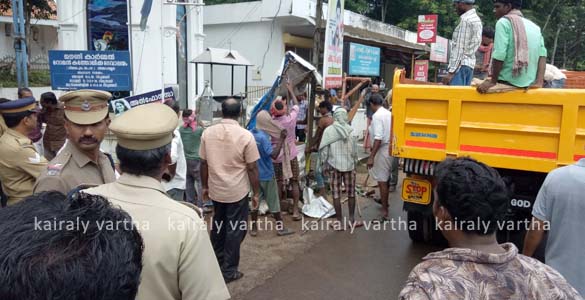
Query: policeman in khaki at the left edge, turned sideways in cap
{"points": [[20, 164]]}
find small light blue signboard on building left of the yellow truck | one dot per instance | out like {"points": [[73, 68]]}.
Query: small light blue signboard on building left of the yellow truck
{"points": [[364, 60]]}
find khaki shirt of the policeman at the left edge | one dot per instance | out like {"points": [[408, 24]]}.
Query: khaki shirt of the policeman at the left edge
{"points": [[20, 165]]}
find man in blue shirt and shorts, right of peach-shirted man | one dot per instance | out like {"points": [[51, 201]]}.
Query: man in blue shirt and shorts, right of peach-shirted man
{"points": [[268, 186]]}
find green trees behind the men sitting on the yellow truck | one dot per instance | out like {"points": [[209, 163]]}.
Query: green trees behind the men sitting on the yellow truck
{"points": [[560, 20]]}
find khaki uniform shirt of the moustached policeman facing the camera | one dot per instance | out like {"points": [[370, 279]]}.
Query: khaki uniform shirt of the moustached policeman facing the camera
{"points": [[71, 168]]}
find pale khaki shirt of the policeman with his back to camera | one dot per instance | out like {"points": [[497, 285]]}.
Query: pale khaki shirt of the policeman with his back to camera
{"points": [[179, 262]]}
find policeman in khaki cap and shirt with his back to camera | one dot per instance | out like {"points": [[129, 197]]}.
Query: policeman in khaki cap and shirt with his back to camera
{"points": [[179, 262]]}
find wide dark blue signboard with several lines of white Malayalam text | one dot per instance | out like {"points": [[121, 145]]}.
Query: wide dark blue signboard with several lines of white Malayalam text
{"points": [[98, 70]]}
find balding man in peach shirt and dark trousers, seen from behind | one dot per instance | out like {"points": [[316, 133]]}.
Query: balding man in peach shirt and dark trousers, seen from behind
{"points": [[228, 167]]}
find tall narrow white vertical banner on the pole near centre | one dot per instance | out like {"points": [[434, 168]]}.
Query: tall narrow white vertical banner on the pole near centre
{"points": [[333, 53]]}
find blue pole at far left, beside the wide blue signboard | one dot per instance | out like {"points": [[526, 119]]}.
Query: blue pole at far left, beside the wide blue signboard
{"points": [[20, 43]]}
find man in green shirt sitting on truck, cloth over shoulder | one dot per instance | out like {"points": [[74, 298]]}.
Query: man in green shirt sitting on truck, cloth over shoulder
{"points": [[519, 55]]}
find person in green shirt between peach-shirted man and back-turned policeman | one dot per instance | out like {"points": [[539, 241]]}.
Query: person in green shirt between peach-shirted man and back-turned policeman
{"points": [[191, 136]]}
